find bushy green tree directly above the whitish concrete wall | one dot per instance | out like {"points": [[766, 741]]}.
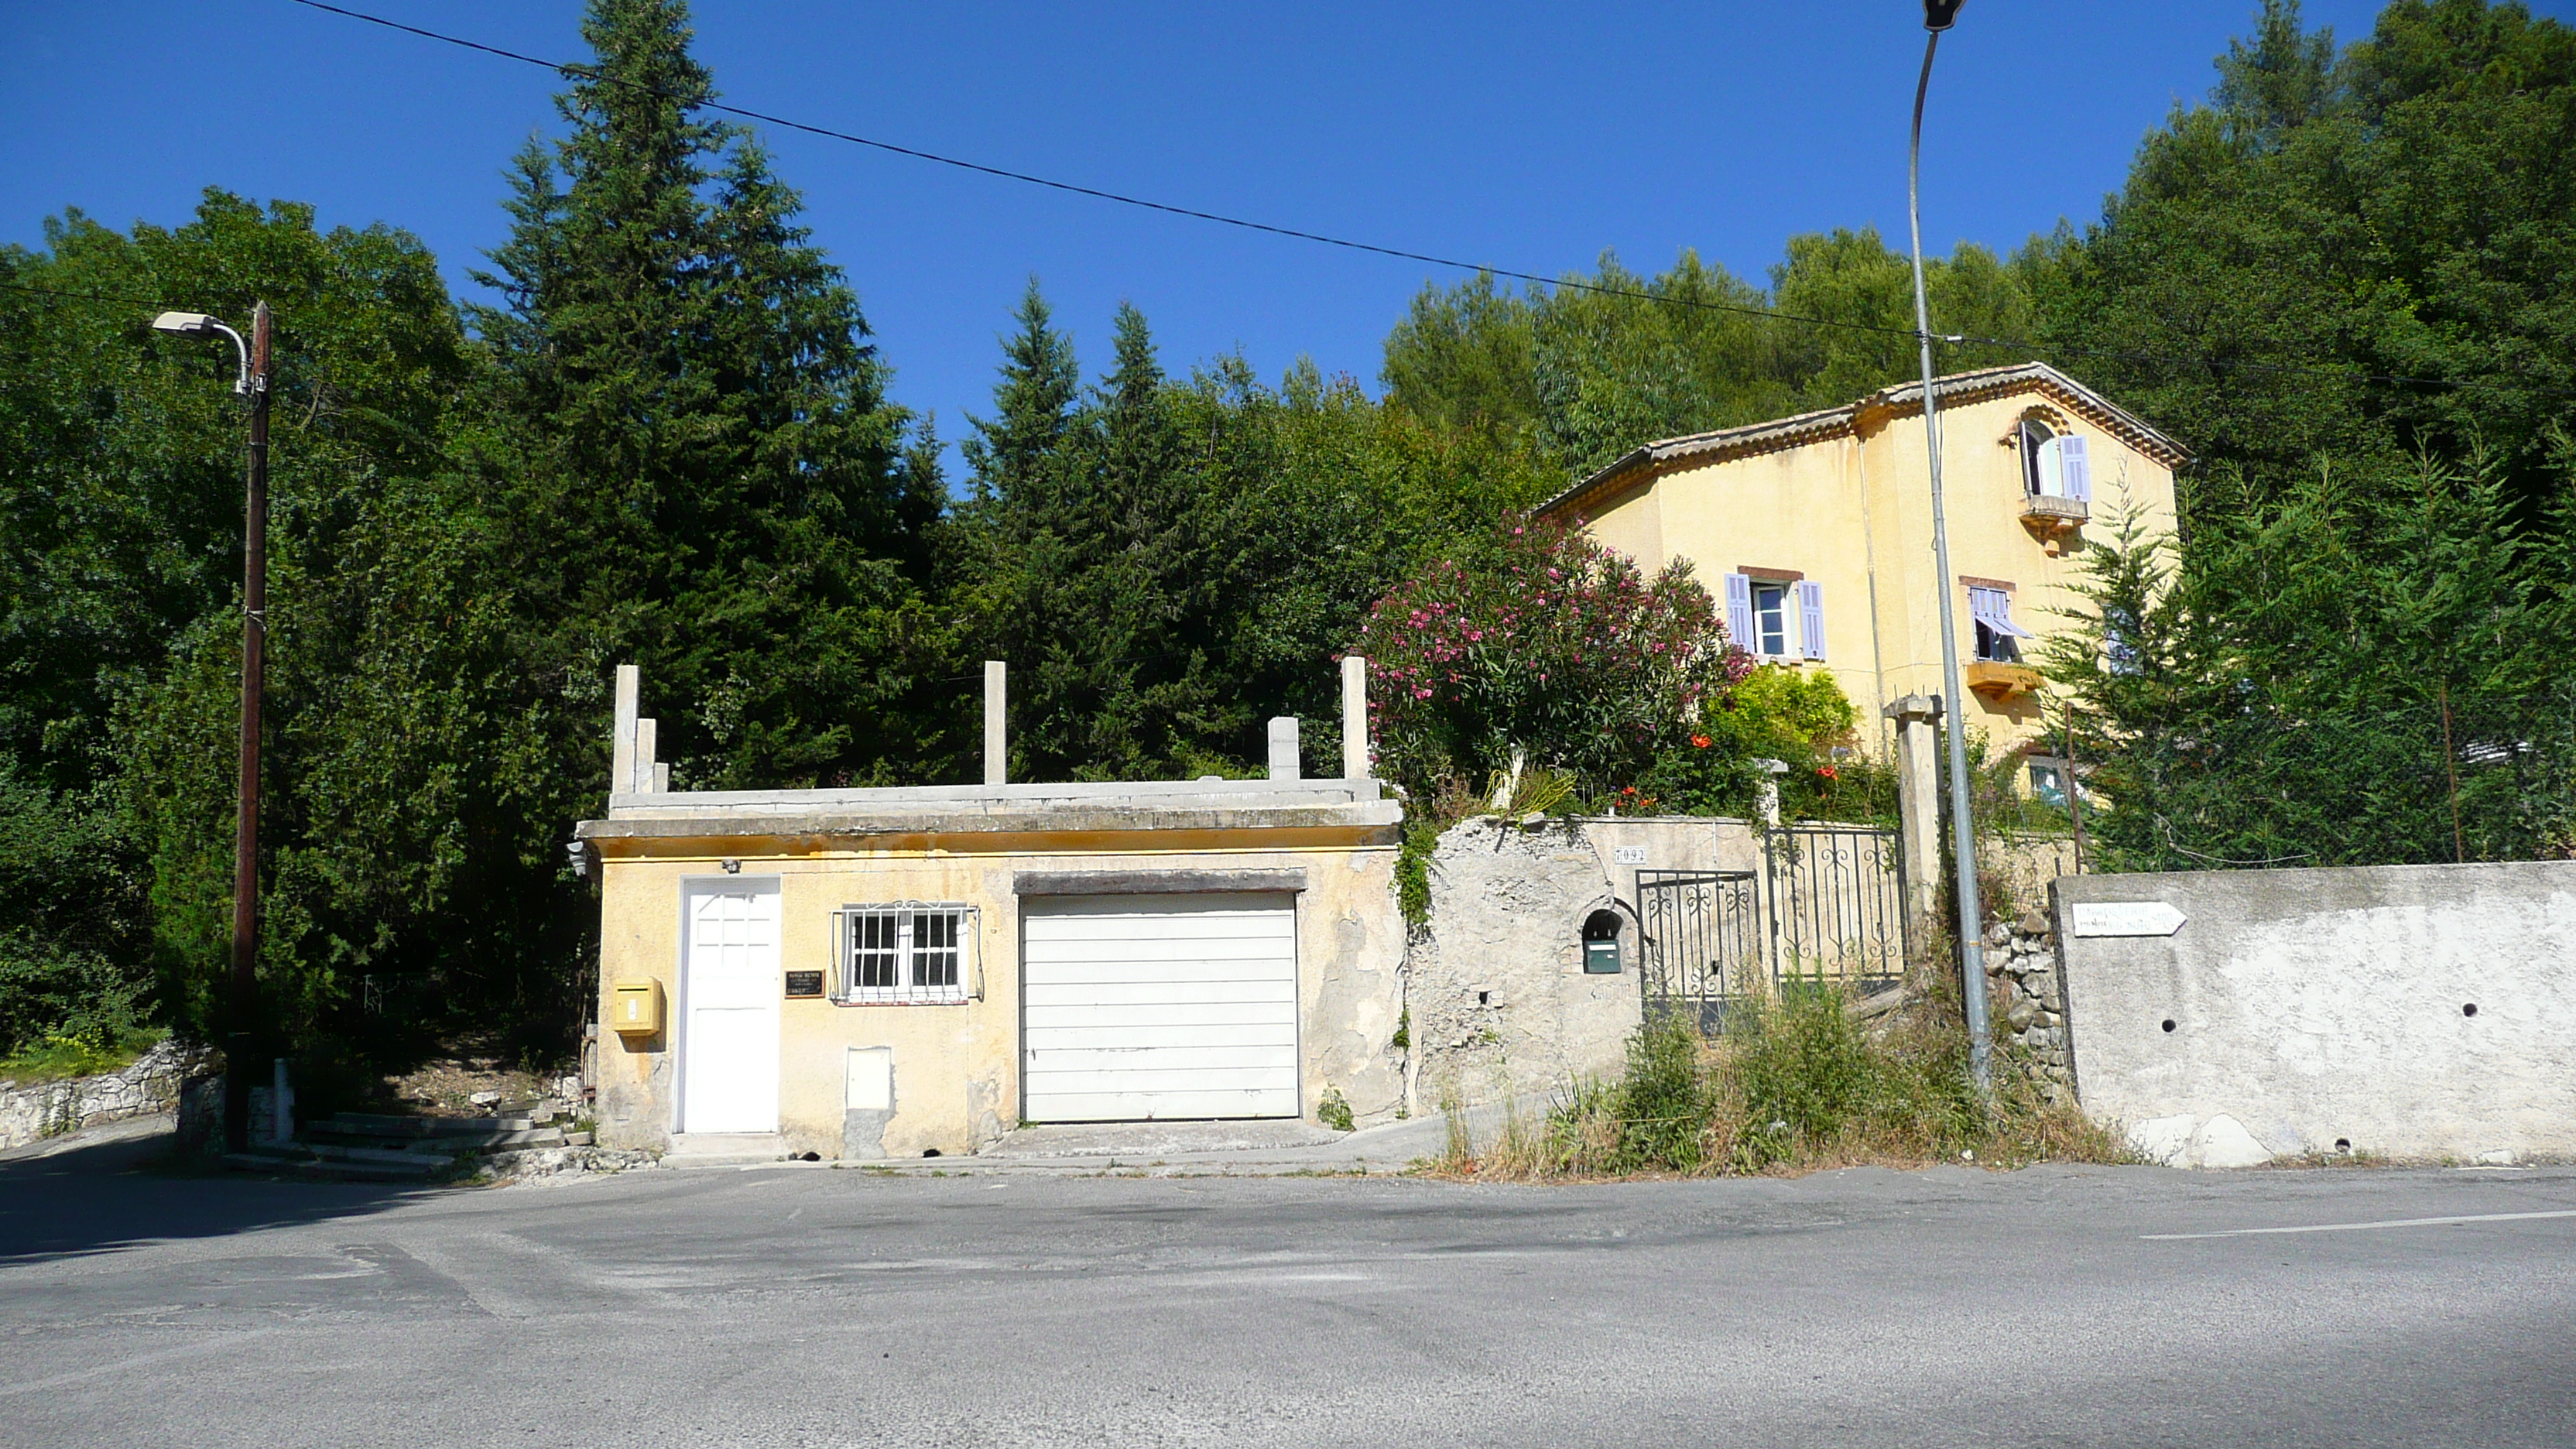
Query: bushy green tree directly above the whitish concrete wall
{"points": [[2366, 666]]}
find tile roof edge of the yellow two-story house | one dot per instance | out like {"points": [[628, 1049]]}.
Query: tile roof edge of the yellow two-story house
{"points": [[1902, 401]]}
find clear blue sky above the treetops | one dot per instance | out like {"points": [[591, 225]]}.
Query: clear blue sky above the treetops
{"points": [[1521, 135]]}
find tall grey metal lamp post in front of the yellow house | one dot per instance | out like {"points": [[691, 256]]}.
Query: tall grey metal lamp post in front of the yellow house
{"points": [[1972, 953]]}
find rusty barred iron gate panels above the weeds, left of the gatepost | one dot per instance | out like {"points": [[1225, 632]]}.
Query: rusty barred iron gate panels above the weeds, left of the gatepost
{"points": [[1828, 906]]}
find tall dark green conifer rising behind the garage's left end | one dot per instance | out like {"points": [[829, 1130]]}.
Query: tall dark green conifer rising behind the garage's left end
{"points": [[694, 450]]}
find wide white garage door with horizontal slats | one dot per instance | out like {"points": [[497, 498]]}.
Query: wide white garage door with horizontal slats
{"points": [[1158, 1007]]}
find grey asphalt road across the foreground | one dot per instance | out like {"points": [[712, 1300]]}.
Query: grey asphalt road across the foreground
{"points": [[2057, 1306]]}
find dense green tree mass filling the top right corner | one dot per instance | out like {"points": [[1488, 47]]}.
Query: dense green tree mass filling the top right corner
{"points": [[2353, 254]]}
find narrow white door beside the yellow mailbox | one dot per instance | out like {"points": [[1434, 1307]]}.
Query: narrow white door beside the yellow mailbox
{"points": [[730, 991]]}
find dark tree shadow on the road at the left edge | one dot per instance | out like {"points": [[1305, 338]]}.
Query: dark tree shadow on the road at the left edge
{"points": [[130, 1190]]}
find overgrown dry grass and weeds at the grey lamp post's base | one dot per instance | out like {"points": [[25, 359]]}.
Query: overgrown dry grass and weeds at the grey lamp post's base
{"points": [[1792, 1087]]}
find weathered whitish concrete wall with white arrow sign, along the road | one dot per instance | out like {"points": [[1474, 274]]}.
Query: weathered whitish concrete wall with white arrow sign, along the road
{"points": [[2333, 1007]]}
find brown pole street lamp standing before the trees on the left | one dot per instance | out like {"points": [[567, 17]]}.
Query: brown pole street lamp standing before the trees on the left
{"points": [[246, 831]]}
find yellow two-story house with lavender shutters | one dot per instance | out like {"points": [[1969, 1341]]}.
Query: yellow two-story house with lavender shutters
{"points": [[1817, 535]]}
